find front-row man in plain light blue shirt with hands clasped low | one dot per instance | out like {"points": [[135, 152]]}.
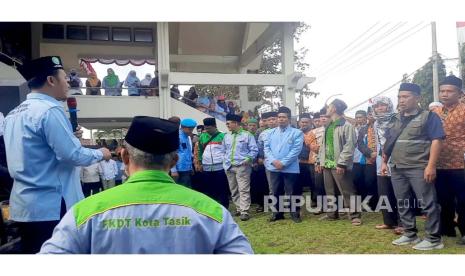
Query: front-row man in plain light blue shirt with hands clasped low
{"points": [[282, 149]]}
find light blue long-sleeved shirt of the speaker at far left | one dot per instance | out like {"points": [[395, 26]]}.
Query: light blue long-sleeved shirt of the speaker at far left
{"points": [[43, 157]]}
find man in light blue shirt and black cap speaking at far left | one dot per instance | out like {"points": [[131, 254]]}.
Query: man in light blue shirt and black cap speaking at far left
{"points": [[43, 154]]}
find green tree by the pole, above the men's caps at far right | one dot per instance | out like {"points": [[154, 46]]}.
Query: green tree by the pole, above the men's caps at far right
{"points": [[424, 78]]}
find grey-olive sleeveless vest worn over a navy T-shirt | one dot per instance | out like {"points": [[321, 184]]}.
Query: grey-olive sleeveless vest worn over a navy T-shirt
{"points": [[412, 148]]}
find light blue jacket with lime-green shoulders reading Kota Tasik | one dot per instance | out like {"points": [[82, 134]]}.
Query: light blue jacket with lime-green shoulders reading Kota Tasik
{"points": [[148, 214]]}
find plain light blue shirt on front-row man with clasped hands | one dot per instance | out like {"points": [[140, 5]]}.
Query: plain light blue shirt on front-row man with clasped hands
{"points": [[283, 145]]}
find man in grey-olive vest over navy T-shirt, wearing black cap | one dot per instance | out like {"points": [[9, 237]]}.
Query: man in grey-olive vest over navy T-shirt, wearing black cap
{"points": [[413, 145]]}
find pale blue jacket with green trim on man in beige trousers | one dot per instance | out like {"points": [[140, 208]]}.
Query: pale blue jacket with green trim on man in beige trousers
{"points": [[239, 147]]}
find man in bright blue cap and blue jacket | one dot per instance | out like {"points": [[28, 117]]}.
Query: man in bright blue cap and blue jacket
{"points": [[182, 172]]}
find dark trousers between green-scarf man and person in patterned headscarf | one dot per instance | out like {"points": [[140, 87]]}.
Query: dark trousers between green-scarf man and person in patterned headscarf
{"points": [[364, 177]]}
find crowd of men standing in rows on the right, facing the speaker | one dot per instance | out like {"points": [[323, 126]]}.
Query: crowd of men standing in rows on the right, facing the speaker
{"points": [[409, 158]]}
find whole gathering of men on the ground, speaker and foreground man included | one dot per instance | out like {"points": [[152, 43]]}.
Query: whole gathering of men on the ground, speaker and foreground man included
{"points": [[410, 157]]}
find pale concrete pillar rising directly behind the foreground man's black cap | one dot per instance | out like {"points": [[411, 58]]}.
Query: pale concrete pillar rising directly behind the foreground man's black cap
{"points": [[163, 62]]}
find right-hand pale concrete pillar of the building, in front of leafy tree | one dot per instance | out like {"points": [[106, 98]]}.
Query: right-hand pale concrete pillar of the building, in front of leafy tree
{"points": [[288, 66]]}
